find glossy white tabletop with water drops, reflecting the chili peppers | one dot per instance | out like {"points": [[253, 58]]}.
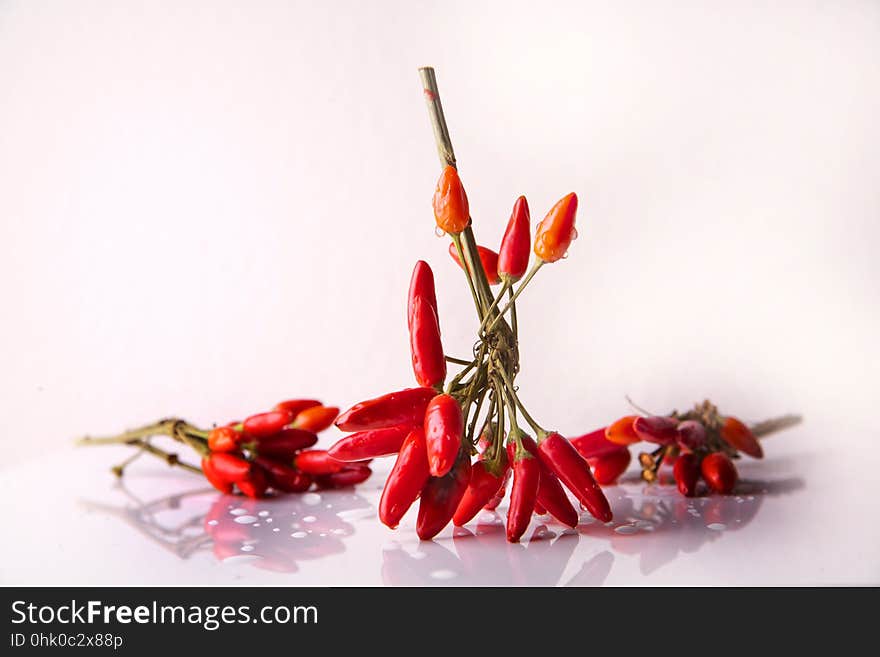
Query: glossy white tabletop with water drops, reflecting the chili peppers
{"points": [[787, 524]]}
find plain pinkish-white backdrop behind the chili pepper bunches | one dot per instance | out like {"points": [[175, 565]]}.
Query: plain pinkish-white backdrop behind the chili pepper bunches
{"points": [[206, 207]]}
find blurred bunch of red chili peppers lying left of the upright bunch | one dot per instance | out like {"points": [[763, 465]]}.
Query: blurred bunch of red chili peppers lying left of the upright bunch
{"points": [[270, 450]]}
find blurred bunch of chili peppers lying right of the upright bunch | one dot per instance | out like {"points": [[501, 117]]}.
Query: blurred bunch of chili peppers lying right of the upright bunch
{"points": [[700, 443]]}
